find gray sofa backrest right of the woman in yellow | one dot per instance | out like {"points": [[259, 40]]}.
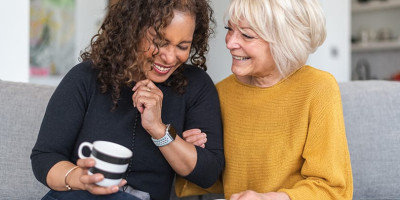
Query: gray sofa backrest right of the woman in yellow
{"points": [[371, 112]]}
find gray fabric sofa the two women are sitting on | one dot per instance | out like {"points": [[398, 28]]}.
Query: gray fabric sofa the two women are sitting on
{"points": [[371, 112]]}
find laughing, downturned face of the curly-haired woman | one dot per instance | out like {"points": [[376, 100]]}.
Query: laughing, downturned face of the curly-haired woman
{"points": [[173, 52]]}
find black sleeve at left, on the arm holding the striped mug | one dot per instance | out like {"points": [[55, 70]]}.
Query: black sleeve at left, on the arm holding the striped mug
{"points": [[62, 121]]}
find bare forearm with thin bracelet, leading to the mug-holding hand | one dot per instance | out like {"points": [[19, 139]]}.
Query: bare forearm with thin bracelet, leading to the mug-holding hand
{"points": [[56, 176]]}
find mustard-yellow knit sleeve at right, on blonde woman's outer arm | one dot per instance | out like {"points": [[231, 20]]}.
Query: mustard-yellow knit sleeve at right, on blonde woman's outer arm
{"points": [[327, 168]]}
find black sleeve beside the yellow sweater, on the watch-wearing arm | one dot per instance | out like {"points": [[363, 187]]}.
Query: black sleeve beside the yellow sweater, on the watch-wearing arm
{"points": [[203, 112]]}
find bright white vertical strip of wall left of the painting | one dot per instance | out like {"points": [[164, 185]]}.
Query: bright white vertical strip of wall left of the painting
{"points": [[14, 40]]}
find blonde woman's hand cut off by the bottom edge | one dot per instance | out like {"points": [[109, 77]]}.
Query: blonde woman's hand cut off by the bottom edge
{"points": [[252, 195]]}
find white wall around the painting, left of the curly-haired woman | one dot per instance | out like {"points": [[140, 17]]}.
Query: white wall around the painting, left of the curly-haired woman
{"points": [[14, 36]]}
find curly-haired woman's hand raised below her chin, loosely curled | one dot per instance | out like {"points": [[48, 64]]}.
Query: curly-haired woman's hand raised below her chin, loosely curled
{"points": [[147, 98]]}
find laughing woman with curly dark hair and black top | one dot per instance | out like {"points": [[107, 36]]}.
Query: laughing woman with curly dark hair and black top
{"points": [[135, 88]]}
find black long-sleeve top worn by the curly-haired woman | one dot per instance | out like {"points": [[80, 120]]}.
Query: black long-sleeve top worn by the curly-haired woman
{"points": [[78, 112]]}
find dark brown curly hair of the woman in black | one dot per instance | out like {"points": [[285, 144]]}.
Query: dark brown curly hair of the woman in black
{"points": [[114, 50]]}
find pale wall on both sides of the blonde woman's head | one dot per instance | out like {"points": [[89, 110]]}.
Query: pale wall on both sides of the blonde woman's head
{"points": [[333, 56]]}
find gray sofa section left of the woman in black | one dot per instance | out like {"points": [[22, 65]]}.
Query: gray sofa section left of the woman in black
{"points": [[22, 108]]}
